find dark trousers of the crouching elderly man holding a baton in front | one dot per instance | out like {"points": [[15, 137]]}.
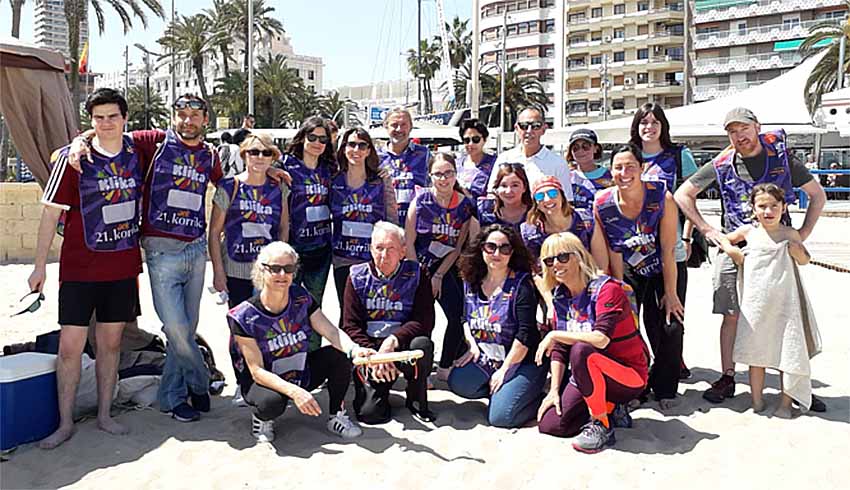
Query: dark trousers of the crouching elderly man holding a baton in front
{"points": [[372, 398]]}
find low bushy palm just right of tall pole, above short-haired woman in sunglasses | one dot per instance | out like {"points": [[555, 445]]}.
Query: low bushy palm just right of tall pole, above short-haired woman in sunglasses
{"points": [[278, 86]]}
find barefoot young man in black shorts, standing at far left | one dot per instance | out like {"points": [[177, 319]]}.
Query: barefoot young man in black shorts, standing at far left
{"points": [[100, 259]]}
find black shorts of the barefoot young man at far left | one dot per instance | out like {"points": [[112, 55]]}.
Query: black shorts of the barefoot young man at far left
{"points": [[110, 301]]}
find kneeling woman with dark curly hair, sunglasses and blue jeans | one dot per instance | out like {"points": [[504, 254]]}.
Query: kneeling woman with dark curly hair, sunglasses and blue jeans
{"points": [[500, 328]]}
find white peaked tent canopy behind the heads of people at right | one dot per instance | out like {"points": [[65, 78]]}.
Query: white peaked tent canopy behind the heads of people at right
{"points": [[778, 103]]}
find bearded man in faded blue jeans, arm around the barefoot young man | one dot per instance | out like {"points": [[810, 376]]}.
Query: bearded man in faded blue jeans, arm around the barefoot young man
{"points": [[179, 166]]}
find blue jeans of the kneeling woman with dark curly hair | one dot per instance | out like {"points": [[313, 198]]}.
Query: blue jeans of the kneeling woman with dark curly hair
{"points": [[517, 400]]}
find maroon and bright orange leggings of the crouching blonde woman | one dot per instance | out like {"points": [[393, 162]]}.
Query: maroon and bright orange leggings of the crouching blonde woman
{"points": [[598, 382]]}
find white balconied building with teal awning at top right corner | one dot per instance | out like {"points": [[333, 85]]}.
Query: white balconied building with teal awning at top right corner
{"points": [[741, 43]]}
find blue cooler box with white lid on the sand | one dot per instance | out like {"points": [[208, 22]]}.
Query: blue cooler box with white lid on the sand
{"points": [[28, 403]]}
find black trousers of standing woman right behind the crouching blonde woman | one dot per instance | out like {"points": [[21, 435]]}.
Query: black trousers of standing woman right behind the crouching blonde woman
{"points": [[664, 338]]}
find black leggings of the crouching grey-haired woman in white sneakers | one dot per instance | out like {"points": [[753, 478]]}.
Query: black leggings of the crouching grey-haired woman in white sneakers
{"points": [[325, 364]]}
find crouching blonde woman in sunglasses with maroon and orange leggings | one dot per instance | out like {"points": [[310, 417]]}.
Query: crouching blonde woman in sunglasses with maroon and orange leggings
{"points": [[598, 335]]}
